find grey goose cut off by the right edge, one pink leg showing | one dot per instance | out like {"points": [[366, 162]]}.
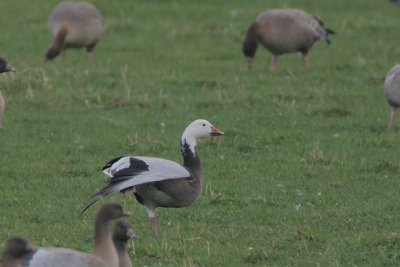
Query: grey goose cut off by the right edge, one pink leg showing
{"points": [[392, 92]]}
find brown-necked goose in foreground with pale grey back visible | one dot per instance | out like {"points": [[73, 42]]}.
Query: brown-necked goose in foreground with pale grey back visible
{"points": [[104, 253]]}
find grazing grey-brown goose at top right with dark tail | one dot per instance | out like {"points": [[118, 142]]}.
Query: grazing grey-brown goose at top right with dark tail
{"points": [[284, 31]]}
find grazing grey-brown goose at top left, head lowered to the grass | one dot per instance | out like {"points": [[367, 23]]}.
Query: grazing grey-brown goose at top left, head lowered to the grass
{"points": [[74, 25]]}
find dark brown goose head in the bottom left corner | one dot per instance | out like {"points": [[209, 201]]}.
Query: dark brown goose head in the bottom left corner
{"points": [[15, 249]]}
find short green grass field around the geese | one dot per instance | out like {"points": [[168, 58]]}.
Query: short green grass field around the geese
{"points": [[306, 174]]}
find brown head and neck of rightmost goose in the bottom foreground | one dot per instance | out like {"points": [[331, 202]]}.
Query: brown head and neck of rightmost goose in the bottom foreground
{"points": [[121, 234]]}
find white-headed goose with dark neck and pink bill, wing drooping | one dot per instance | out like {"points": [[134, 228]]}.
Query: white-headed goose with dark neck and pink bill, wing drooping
{"points": [[160, 182]]}
